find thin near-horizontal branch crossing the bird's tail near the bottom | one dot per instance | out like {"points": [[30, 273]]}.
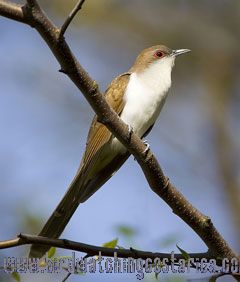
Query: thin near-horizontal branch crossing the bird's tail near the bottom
{"points": [[90, 250]]}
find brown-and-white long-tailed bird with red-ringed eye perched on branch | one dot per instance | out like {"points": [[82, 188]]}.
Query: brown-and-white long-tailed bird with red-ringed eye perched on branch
{"points": [[137, 96]]}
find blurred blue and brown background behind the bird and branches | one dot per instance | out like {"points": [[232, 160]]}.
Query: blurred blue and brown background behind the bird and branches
{"points": [[44, 122]]}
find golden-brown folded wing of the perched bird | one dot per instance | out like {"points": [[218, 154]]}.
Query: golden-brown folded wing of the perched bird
{"points": [[99, 134]]}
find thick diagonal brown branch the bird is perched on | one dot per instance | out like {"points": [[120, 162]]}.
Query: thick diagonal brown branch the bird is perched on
{"points": [[158, 182]]}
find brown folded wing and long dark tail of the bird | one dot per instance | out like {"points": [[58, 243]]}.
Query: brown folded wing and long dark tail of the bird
{"points": [[83, 186]]}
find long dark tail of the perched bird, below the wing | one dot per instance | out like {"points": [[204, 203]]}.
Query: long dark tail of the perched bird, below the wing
{"points": [[78, 192]]}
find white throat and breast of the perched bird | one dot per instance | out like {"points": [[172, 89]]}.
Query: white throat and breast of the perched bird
{"points": [[145, 95]]}
